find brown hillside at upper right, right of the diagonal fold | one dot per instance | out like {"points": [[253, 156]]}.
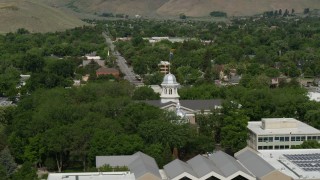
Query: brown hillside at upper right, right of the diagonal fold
{"points": [[233, 7]]}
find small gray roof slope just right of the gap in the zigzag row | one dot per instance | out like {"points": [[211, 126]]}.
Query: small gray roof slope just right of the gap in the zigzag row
{"points": [[177, 167]]}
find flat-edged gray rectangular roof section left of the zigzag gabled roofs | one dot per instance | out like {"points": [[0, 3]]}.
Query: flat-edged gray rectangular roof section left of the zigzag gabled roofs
{"points": [[123, 160]]}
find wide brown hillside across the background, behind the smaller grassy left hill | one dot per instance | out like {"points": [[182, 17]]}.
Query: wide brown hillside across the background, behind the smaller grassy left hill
{"points": [[195, 8]]}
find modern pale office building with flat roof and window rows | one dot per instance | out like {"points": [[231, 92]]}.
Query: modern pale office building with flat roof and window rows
{"points": [[279, 133]]}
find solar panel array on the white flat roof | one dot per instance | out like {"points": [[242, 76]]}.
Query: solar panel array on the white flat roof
{"points": [[307, 162]]}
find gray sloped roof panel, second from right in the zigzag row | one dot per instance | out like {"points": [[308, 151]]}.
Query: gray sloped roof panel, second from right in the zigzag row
{"points": [[227, 164]]}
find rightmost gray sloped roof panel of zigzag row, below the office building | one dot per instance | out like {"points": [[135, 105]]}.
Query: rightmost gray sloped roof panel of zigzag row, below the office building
{"points": [[254, 163]]}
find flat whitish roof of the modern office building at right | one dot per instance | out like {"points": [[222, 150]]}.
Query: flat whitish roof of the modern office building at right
{"points": [[301, 128]]}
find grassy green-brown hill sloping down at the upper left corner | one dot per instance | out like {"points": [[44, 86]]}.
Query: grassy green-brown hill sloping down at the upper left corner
{"points": [[34, 16]]}
